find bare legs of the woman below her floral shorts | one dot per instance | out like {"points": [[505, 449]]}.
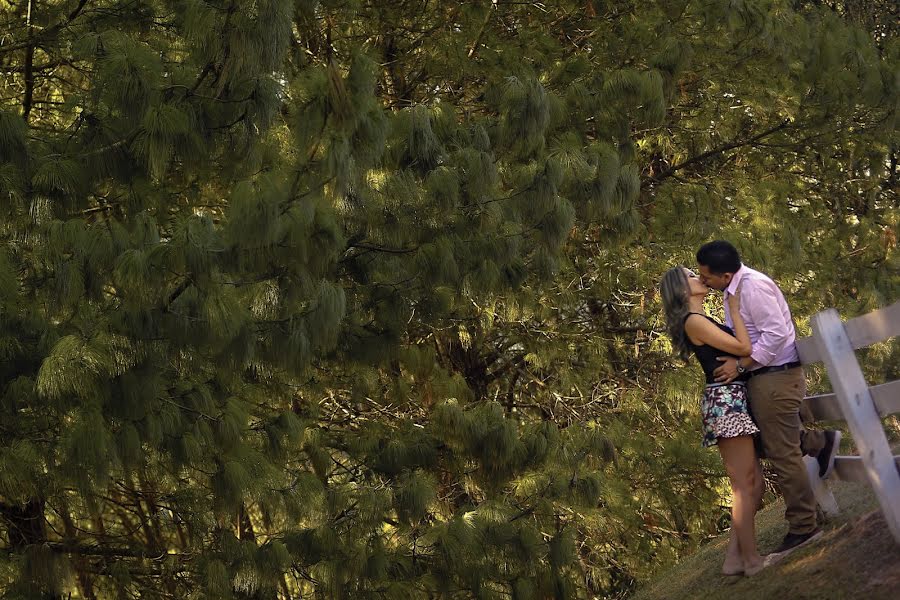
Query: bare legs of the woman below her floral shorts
{"points": [[741, 464]]}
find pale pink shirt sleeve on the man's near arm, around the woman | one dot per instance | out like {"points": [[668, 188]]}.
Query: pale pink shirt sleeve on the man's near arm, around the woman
{"points": [[761, 301]]}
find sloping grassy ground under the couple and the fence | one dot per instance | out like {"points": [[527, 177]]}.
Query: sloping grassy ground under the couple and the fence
{"points": [[856, 558]]}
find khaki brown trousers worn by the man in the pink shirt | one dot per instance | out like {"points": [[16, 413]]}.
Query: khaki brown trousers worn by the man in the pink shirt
{"points": [[776, 403]]}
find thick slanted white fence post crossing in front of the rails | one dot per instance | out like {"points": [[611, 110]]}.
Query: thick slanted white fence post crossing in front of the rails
{"points": [[856, 402]]}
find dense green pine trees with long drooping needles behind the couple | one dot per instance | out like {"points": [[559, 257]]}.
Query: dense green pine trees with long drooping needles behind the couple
{"points": [[355, 299]]}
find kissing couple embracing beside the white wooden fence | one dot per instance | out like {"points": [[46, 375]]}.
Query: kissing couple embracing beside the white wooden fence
{"points": [[753, 400]]}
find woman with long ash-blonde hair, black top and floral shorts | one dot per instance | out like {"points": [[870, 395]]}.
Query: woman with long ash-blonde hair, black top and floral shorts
{"points": [[726, 419]]}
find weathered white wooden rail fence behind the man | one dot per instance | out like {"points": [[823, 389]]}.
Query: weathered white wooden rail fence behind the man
{"points": [[861, 406]]}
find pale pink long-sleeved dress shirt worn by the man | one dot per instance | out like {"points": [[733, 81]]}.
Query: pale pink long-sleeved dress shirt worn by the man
{"points": [[767, 317]]}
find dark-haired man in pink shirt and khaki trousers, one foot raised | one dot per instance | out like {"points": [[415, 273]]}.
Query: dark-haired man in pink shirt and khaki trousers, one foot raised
{"points": [[777, 385]]}
